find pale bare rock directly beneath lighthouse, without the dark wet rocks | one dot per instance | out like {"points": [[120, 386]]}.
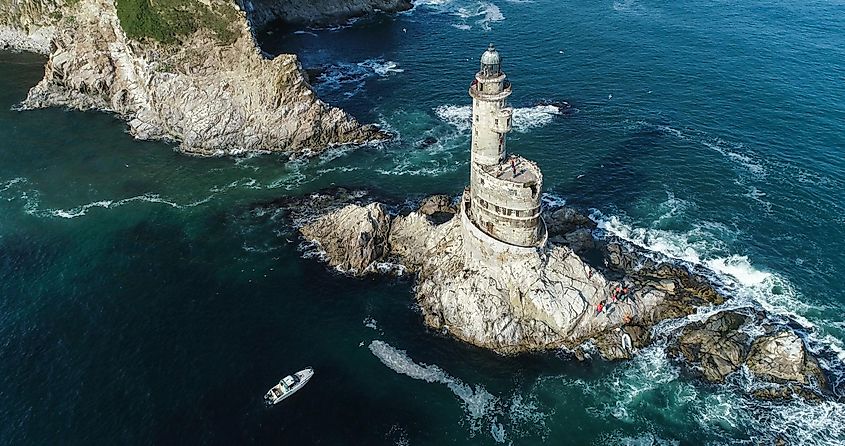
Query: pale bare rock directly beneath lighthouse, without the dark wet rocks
{"points": [[523, 300]]}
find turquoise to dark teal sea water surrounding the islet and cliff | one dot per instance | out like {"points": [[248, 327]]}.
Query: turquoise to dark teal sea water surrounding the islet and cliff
{"points": [[148, 297]]}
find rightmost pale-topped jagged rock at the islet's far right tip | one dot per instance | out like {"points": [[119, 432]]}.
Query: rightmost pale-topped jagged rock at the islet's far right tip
{"points": [[782, 357]]}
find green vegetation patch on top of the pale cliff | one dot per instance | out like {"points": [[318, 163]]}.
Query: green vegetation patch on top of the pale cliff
{"points": [[167, 21]]}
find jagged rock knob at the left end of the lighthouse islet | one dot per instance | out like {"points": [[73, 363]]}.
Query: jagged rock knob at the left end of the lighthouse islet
{"points": [[354, 238]]}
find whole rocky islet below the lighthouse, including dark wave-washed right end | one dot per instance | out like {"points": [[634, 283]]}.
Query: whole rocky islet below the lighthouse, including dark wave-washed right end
{"points": [[535, 299]]}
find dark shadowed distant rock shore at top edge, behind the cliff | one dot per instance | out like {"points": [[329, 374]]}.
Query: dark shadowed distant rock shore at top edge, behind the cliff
{"points": [[315, 12]]}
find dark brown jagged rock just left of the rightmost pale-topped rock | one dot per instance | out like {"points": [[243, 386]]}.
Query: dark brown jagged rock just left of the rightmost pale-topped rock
{"points": [[715, 346]]}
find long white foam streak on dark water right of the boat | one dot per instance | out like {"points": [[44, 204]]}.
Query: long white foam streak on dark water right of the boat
{"points": [[478, 403]]}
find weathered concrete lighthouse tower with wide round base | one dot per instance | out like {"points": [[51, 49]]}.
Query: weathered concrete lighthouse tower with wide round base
{"points": [[503, 200]]}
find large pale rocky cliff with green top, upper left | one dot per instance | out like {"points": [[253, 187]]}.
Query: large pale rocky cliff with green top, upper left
{"points": [[203, 83]]}
